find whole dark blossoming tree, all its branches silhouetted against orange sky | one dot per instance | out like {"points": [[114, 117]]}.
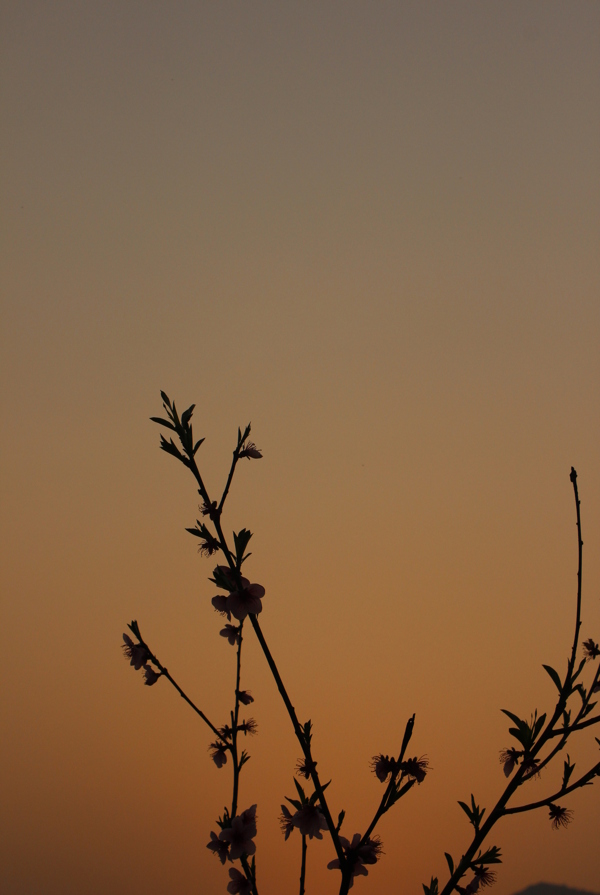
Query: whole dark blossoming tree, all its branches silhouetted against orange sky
{"points": [[241, 599]]}
